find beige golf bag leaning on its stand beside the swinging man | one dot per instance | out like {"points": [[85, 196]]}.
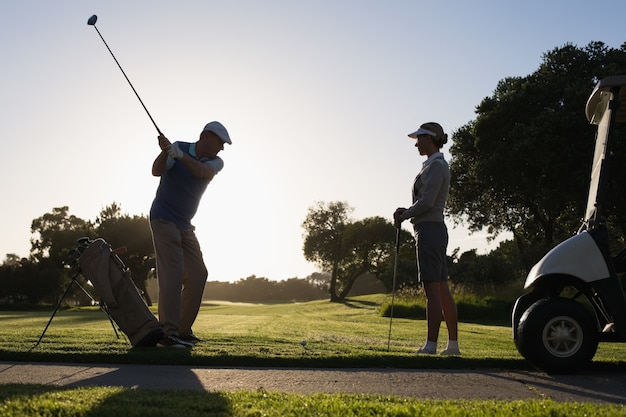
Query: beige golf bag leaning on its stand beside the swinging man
{"points": [[117, 291]]}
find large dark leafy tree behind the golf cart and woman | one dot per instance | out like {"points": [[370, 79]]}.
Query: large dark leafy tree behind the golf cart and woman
{"points": [[523, 164]]}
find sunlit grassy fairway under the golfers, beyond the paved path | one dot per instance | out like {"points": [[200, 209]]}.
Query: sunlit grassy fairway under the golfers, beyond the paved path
{"points": [[352, 334]]}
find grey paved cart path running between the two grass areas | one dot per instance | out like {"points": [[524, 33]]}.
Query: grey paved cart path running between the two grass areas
{"points": [[607, 387]]}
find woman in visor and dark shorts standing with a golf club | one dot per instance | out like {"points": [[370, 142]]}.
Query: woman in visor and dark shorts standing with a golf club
{"points": [[430, 192]]}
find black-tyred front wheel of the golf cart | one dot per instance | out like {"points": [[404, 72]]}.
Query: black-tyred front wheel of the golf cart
{"points": [[557, 335]]}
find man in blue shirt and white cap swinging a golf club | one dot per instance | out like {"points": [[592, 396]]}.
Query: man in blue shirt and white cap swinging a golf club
{"points": [[185, 170]]}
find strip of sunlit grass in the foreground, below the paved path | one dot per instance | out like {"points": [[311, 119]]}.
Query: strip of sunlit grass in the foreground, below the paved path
{"points": [[29, 400]]}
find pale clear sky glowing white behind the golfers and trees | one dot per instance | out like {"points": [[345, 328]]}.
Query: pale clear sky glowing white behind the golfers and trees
{"points": [[318, 97]]}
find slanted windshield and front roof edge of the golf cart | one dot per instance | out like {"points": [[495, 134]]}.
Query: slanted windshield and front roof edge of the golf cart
{"points": [[603, 109]]}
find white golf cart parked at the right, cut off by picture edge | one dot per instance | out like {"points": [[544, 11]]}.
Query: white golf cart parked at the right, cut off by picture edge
{"points": [[574, 298]]}
